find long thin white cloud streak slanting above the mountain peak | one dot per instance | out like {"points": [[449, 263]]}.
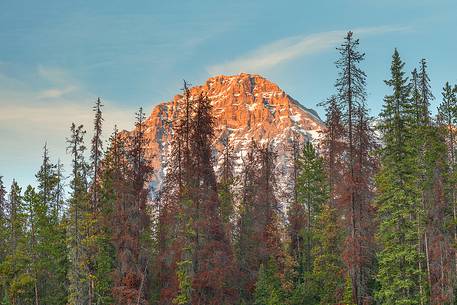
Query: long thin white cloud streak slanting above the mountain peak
{"points": [[281, 51]]}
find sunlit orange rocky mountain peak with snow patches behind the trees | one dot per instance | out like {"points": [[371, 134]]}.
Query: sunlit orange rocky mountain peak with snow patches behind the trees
{"points": [[245, 107]]}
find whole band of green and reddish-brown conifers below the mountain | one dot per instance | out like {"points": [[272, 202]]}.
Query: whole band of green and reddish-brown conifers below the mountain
{"points": [[372, 217]]}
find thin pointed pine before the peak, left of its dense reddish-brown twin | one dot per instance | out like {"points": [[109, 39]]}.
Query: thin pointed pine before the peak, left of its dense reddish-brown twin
{"points": [[173, 226]]}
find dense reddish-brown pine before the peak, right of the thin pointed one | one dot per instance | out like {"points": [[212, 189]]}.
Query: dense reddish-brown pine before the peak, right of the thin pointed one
{"points": [[213, 259]]}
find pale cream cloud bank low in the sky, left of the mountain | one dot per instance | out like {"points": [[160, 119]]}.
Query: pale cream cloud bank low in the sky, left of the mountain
{"points": [[60, 102]]}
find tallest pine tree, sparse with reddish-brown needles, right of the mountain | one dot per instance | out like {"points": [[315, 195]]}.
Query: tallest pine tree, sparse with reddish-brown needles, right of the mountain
{"points": [[351, 96]]}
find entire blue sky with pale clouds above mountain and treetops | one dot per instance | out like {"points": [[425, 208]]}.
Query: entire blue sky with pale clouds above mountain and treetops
{"points": [[57, 57]]}
